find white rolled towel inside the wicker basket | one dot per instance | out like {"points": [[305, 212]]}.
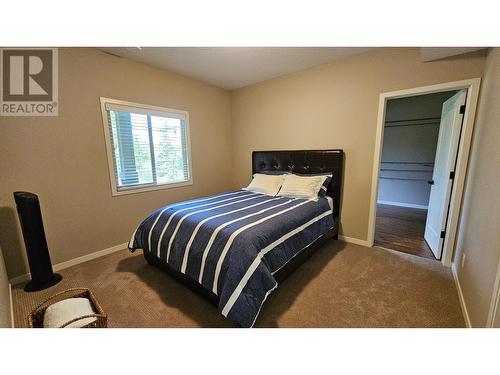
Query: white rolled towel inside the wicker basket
{"points": [[68, 309]]}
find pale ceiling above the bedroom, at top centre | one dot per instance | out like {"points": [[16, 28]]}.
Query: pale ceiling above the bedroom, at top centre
{"points": [[235, 67]]}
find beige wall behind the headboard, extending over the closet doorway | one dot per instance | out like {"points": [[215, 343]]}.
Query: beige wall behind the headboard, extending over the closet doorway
{"points": [[334, 106]]}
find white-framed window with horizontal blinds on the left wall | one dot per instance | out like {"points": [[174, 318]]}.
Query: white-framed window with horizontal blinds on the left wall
{"points": [[148, 147]]}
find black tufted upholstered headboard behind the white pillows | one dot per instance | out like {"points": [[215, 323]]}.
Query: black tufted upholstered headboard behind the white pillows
{"points": [[305, 162]]}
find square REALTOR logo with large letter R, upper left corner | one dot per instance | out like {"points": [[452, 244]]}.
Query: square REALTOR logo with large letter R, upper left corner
{"points": [[29, 85]]}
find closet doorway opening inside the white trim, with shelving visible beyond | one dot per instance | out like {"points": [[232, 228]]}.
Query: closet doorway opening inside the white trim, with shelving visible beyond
{"points": [[412, 136]]}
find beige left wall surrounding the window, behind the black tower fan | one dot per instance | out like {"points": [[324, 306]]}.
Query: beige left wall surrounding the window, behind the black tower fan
{"points": [[63, 159]]}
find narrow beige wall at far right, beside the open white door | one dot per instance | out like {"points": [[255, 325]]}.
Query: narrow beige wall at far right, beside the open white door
{"points": [[479, 237]]}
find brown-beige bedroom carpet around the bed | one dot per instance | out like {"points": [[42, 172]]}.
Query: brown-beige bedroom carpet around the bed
{"points": [[342, 285]]}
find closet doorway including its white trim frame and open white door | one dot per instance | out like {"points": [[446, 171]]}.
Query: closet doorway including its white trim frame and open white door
{"points": [[439, 203]]}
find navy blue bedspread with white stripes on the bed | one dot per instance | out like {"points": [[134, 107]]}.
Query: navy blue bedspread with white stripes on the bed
{"points": [[233, 243]]}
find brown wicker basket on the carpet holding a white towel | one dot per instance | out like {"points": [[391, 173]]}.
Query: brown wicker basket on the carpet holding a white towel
{"points": [[35, 319]]}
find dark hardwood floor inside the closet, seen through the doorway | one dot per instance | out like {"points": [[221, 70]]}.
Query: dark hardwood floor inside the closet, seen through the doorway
{"points": [[402, 229]]}
